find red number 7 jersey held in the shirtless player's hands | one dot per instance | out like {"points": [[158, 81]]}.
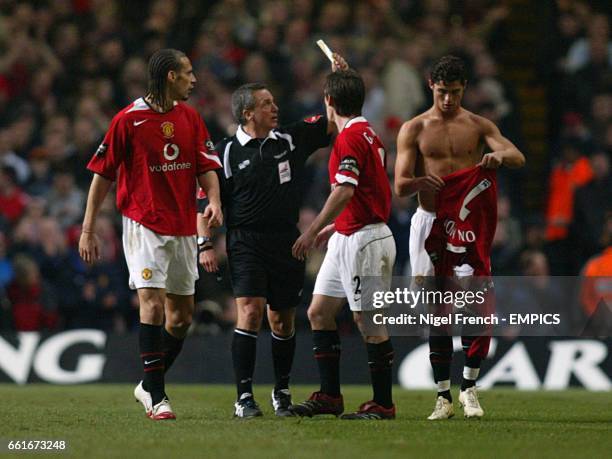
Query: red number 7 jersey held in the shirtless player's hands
{"points": [[465, 222]]}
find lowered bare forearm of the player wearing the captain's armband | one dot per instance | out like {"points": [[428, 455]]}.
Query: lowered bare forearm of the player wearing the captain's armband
{"points": [[335, 204]]}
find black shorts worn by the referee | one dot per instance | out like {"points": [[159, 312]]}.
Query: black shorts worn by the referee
{"points": [[261, 265]]}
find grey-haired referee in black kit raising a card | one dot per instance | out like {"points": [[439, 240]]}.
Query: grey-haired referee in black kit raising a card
{"points": [[262, 189]]}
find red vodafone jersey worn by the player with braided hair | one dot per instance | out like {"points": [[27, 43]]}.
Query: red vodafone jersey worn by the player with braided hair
{"points": [[155, 158]]}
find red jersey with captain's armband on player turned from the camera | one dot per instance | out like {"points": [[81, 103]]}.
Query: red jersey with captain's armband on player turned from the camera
{"points": [[359, 158]]}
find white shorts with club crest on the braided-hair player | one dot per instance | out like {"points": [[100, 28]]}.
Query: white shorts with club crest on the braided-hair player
{"points": [[157, 261]]}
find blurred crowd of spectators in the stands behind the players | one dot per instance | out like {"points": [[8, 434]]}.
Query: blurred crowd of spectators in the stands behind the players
{"points": [[67, 66]]}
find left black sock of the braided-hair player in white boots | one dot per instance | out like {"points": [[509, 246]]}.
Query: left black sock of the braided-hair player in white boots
{"points": [[152, 355]]}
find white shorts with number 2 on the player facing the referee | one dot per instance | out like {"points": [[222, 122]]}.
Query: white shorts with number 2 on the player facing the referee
{"points": [[363, 260]]}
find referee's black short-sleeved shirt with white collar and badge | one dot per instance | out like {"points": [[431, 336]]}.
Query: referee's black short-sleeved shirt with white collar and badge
{"points": [[262, 179]]}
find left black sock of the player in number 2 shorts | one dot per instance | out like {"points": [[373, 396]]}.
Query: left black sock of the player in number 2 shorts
{"points": [[327, 353]]}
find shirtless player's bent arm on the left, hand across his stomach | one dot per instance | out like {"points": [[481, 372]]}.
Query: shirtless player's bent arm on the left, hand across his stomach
{"points": [[406, 184]]}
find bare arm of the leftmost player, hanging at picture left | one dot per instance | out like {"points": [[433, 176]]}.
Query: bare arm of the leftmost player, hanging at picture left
{"points": [[88, 242]]}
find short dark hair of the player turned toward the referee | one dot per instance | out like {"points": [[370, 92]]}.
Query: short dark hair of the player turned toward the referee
{"points": [[347, 90]]}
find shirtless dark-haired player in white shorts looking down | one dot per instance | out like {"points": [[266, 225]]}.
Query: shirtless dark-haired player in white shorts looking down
{"points": [[445, 139]]}
